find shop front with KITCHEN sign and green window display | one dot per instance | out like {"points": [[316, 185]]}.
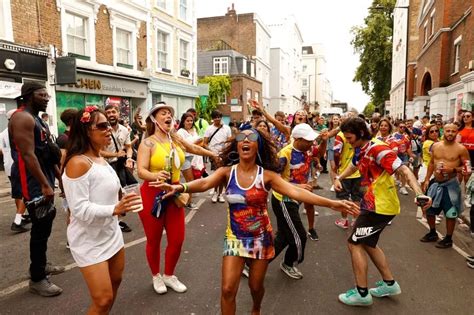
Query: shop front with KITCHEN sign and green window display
{"points": [[100, 89]]}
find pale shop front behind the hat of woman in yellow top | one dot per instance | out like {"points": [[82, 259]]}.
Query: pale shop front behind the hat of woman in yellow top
{"points": [[180, 96]]}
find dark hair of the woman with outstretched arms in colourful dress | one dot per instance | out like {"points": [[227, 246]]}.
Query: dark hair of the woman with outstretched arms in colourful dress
{"points": [[267, 153]]}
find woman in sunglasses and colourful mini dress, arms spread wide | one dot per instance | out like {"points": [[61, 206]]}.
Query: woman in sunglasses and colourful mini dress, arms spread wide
{"points": [[250, 172]]}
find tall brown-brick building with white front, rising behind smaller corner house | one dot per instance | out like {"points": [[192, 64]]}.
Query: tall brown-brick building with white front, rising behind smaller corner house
{"points": [[245, 33]]}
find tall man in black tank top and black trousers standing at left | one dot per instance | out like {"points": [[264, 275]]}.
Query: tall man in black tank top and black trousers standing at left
{"points": [[34, 170]]}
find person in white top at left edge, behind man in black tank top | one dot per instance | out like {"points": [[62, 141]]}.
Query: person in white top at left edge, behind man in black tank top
{"points": [[18, 225]]}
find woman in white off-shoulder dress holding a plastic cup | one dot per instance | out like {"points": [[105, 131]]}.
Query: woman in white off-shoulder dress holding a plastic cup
{"points": [[92, 190]]}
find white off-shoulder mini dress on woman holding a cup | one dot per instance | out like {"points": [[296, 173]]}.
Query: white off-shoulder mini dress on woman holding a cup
{"points": [[94, 235]]}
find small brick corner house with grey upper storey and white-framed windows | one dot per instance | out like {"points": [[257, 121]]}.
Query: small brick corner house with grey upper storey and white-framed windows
{"points": [[244, 86]]}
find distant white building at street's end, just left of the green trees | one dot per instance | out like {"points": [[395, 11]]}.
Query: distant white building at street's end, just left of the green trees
{"points": [[315, 86]]}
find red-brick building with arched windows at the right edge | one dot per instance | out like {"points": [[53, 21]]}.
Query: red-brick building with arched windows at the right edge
{"points": [[442, 80]]}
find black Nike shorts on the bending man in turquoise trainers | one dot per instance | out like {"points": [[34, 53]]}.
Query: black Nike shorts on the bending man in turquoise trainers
{"points": [[368, 227]]}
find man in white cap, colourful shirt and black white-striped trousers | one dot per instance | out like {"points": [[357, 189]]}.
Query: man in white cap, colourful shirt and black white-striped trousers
{"points": [[296, 167]]}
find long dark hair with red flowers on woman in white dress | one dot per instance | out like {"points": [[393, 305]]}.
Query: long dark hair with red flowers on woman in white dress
{"points": [[79, 142]]}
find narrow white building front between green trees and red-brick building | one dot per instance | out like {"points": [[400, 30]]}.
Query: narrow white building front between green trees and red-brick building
{"points": [[399, 62]]}
